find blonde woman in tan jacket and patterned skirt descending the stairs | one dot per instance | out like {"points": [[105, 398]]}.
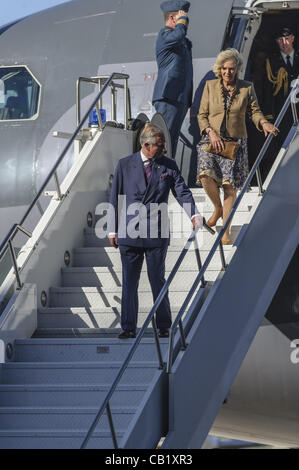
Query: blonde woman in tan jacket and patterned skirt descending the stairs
{"points": [[221, 118]]}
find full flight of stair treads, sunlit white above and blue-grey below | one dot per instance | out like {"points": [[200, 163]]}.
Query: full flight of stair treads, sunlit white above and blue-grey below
{"points": [[50, 393]]}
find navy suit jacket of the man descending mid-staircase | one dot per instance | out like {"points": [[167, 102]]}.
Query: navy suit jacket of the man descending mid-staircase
{"points": [[129, 181]]}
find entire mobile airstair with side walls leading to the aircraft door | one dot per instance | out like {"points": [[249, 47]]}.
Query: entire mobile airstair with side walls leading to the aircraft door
{"points": [[66, 380]]}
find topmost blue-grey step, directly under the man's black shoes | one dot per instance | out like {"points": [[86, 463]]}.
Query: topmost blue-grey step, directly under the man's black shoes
{"points": [[79, 349]]}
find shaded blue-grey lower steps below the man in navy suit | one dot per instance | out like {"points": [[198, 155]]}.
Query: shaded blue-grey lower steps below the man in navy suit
{"points": [[51, 393]]}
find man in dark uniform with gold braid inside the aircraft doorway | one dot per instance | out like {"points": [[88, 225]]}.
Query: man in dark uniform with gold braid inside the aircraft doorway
{"points": [[281, 69]]}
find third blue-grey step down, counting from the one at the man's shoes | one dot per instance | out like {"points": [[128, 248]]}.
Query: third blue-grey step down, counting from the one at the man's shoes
{"points": [[69, 395]]}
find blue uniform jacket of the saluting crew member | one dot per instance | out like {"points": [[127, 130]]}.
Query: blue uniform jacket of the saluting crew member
{"points": [[175, 69]]}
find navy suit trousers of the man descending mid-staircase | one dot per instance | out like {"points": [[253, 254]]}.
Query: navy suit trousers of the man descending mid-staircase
{"points": [[132, 259]]}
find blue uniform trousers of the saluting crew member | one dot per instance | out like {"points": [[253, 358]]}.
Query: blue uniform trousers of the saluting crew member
{"points": [[174, 114]]}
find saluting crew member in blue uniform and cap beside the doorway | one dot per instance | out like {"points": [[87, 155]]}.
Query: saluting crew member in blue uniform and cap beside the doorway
{"points": [[174, 86]]}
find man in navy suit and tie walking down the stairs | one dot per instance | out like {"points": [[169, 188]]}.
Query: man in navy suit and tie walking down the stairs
{"points": [[141, 185]]}
